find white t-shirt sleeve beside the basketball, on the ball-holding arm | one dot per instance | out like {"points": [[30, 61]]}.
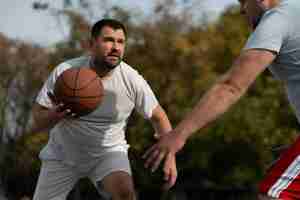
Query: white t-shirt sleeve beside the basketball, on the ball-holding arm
{"points": [[42, 97]]}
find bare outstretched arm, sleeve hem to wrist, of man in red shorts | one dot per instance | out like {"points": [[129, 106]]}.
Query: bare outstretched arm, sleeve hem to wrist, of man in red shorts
{"points": [[226, 91]]}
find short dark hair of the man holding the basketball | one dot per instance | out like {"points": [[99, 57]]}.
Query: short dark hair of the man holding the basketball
{"points": [[115, 24]]}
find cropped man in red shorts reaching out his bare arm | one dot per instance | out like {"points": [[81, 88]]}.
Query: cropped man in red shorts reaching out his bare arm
{"points": [[274, 44]]}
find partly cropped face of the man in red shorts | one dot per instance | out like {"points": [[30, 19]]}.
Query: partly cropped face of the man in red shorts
{"points": [[252, 10]]}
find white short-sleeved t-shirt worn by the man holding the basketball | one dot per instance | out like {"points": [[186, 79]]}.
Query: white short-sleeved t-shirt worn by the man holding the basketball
{"points": [[85, 138]]}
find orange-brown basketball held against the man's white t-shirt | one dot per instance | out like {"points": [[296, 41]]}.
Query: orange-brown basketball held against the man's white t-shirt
{"points": [[79, 89]]}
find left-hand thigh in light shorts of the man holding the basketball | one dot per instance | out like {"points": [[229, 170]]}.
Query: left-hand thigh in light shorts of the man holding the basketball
{"points": [[55, 181]]}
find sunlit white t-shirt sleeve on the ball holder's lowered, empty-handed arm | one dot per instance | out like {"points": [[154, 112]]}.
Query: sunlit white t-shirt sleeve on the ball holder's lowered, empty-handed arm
{"points": [[145, 99]]}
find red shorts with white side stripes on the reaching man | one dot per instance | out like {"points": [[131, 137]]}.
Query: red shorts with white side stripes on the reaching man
{"points": [[283, 179]]}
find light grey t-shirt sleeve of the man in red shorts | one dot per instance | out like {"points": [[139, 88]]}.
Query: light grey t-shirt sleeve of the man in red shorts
{"points": [[271, 32]]}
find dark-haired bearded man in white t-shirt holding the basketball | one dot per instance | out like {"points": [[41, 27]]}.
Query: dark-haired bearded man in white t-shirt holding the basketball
{"points": [[94, 145]]}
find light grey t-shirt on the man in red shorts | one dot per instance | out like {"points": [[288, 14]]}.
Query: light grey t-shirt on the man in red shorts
{"points": [[279, 31]]}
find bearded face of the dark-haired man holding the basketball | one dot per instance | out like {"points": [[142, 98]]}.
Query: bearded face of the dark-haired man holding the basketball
{"points": [[108, 48]]}
